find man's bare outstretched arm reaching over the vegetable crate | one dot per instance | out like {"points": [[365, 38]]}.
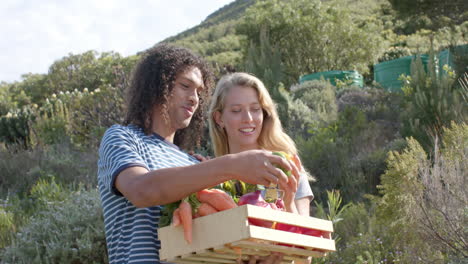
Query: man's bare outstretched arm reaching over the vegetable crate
{"points": [[148, 188]]}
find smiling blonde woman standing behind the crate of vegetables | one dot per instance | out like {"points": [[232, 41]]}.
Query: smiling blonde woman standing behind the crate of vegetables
{"points": [[242, 116]]}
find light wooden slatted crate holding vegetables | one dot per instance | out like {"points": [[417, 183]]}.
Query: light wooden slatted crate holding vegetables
{"points": [[225, 236]]}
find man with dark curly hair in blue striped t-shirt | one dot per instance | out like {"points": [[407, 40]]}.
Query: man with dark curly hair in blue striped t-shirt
{"points": [[142, 163]]}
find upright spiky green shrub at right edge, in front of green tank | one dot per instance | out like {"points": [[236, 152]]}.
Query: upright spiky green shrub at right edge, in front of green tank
{"points": [[432, 102]]}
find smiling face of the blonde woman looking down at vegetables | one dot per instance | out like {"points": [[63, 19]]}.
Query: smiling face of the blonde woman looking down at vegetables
{"points": [[242, 118]]}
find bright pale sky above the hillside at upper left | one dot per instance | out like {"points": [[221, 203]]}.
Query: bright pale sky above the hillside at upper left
{"points": [[34, 34]]}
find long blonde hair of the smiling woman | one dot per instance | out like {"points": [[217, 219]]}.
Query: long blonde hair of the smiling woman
{"points": [[271, 138]]}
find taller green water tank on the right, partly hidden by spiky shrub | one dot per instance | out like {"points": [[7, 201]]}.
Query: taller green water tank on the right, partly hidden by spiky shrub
{"points": [[387, 73]]}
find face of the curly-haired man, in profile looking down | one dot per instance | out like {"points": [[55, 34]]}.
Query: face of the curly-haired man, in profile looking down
{"points": [[181, 104]]}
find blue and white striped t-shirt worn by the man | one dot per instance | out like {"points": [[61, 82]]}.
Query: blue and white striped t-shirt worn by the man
{"points": [[131, 233]]}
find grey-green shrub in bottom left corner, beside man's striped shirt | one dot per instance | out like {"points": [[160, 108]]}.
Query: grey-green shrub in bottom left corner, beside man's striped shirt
{"points": [[68, 232]]}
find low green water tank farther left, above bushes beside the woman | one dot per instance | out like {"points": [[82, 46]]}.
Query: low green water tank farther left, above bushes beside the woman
{"points": [[351, 77]]}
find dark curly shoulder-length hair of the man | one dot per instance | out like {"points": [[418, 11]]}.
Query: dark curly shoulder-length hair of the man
{"points": [[152, 83]]}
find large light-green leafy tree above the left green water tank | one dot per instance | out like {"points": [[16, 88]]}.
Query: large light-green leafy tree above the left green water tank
{"points": [[313, 36]]}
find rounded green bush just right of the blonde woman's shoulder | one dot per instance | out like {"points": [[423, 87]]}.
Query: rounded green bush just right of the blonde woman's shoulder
{"points": [[336, 154]]}
